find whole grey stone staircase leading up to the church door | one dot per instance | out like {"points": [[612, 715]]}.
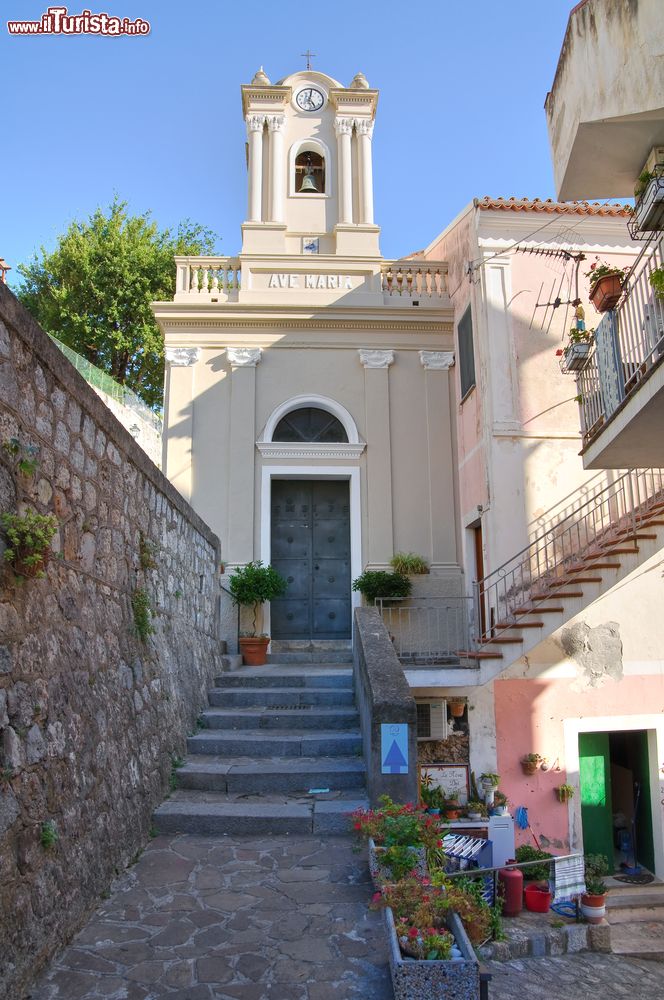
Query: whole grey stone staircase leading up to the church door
{"points": [[280, 751]]}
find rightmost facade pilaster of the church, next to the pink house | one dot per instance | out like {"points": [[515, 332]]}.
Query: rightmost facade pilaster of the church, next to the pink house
{"points": [[440, 460]]}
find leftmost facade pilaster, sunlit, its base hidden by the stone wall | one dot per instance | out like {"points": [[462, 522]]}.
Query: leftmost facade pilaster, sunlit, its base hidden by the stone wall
{"points": [[179, 417]]}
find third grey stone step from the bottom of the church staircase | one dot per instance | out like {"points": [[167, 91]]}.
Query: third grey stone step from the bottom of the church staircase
{"points": [[258, 743]]}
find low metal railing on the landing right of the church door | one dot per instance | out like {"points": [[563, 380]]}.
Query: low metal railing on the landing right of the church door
{"points": [[429, 631]]}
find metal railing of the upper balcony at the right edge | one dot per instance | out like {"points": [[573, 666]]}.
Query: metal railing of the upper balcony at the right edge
{"points": [[628, 343]]}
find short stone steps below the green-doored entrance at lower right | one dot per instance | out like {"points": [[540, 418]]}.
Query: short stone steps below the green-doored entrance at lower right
{"points": [[635, 914]]}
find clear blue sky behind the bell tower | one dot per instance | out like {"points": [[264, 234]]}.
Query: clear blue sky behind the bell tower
{"points": [[158, 119]]}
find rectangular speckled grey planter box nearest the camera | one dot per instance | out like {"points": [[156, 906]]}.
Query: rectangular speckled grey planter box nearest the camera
{"points": [[420, 980]]}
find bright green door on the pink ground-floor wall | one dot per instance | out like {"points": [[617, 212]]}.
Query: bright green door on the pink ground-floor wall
{"points": [[596, 808]]}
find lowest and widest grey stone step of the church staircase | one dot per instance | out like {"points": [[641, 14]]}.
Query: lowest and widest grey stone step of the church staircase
{"points": [[210, 815]]}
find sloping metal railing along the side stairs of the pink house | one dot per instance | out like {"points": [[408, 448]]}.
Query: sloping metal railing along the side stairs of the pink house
{"points": [[532, 576]]}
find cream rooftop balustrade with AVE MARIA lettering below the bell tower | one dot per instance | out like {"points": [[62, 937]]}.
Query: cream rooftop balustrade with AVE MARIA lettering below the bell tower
{"points": [[322, 279]]}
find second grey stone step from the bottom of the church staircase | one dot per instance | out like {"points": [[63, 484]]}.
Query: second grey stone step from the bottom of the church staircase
{"points": [[276, 774]]}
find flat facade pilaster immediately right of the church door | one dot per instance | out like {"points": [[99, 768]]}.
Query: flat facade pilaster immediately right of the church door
{"points": [[379, 456]]}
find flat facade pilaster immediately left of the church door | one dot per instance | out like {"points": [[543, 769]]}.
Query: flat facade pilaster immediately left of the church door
{"points": [[242, 437]]}
